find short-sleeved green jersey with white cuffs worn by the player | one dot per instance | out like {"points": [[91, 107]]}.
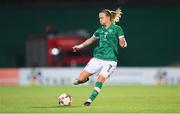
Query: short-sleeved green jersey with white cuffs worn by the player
{"points": [[107, 49]]}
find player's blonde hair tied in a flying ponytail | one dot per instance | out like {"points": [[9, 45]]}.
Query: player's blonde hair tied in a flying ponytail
{"points": [[114, 15]]}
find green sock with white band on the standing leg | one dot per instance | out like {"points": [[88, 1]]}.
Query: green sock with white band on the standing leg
{"points": [[96, 90]]}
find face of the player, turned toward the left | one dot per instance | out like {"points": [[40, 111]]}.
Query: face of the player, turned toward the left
{"points": [[103, 18]]}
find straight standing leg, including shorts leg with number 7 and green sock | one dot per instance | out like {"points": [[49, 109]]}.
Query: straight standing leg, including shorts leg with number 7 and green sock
{"points": [[107, 70]]}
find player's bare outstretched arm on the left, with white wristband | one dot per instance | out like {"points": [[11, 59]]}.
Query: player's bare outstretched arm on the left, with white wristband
{"points": [[84, 44]]}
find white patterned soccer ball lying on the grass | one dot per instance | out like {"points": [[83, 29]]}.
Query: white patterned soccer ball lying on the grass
{"points": [[65, 99]]}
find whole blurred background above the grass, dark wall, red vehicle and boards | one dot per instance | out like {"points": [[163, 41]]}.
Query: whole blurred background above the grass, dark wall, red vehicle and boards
{"points": [[37, 36]]}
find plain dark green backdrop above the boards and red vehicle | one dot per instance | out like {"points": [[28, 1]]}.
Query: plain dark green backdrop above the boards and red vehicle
{"points": [[152, 28]]}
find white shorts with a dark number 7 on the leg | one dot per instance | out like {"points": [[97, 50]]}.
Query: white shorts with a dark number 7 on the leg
{"points": [[104, 67]]}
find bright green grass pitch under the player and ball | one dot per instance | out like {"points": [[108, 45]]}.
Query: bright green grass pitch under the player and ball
{"points": [[112, 99]]}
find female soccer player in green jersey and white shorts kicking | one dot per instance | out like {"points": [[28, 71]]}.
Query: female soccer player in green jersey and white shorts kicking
{"points": [[105, 55]]}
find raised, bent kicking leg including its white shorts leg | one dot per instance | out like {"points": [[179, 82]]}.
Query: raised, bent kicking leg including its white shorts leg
{"points": [[92, 67]]}
